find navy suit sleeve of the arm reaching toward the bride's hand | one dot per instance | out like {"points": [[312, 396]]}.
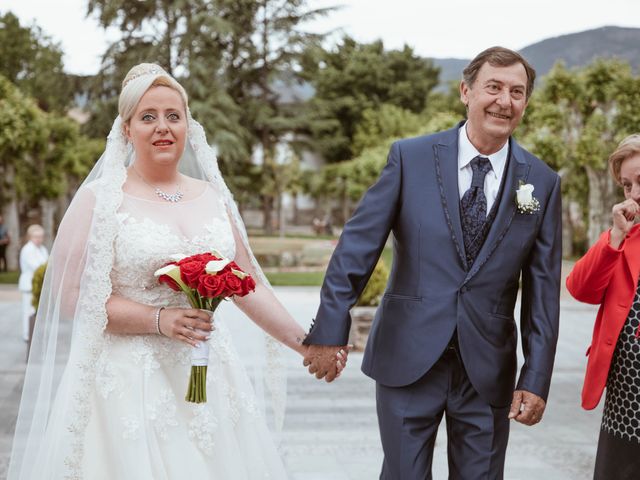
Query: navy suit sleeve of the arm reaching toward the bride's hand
{"points": [[356, 255]]}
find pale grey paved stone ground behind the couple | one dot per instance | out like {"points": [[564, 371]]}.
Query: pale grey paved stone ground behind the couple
{"points": [[331, 431]]}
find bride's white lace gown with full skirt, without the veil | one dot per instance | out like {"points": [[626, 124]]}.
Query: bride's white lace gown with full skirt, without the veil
{"points": [[140, 426]]}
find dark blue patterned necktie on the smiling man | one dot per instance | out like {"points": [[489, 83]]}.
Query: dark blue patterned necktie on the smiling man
{"points": [[473, 208]]}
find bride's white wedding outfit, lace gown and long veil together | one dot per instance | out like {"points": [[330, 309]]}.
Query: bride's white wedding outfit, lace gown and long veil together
{"points": [[96, 405]]}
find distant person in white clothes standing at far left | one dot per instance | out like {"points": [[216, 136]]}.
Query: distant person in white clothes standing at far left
{"points": [[32, 255]]}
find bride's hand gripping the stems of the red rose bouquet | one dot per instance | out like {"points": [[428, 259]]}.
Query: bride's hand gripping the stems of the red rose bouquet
{"points": [[188, 325]]}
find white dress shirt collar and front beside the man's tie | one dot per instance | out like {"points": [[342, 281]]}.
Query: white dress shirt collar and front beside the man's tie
{"points": [[466, 153]]}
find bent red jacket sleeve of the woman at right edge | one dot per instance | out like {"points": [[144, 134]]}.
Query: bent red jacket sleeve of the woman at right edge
{"points": [[591, 275]]}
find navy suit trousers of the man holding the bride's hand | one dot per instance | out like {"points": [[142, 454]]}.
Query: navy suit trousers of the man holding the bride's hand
{"points": [[477, 433]]}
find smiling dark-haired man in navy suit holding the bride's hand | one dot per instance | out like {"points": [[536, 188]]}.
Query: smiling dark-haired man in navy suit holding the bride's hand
{"points": [[444, 338]]}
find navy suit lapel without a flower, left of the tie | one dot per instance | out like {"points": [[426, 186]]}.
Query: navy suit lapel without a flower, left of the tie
{"points": [[446, 162]]}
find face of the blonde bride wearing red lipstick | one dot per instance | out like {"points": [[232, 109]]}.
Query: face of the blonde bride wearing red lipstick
{"points": [[158, 127]]}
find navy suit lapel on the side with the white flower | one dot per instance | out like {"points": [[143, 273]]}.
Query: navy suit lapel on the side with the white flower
{"points": [[517, 171]]}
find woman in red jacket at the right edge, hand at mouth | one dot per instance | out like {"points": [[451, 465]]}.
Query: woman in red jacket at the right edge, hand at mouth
{"points": [[608, 275]]}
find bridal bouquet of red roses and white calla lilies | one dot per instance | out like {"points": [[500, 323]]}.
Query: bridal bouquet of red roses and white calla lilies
{"points": [[206, 279]]}
